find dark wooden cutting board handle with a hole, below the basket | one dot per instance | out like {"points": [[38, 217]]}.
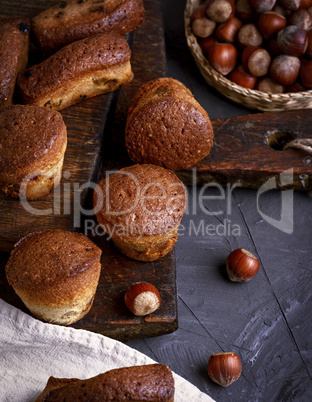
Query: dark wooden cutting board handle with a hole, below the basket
{"points": [[241, 153]]}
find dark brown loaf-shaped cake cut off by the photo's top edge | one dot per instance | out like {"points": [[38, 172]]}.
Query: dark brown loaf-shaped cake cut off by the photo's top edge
{"points": [[73, 20]]}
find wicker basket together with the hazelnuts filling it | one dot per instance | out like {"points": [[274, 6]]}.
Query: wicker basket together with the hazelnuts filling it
{"points": [[259, 55]]}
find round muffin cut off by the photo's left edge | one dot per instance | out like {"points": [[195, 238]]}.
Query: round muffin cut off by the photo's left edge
{"points": [[32, 145]]}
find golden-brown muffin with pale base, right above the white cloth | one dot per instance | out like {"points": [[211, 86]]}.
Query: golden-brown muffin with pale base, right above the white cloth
{"points": [[56, 274]]}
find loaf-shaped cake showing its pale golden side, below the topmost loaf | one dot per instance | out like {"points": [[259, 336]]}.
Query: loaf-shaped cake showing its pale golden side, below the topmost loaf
{"points": [[81, 70]]}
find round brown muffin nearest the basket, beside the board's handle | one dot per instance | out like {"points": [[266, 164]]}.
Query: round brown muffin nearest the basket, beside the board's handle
{"points": [[166, 126]]}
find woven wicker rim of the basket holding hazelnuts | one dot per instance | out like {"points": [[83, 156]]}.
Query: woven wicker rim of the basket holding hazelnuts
{"points": [[249, 98]]}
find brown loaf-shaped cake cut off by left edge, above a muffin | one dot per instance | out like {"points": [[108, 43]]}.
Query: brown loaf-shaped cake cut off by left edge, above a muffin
{"points": [[14, 46]]}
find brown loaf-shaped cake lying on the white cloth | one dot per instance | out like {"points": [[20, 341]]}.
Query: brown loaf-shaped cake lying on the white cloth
{"points": [[152, 382]]}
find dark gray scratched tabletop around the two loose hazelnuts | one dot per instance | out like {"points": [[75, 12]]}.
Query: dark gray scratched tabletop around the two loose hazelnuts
{"points": [[267, 321]]}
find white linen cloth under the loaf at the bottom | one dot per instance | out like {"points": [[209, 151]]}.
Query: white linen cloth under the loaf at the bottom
{"points": [[31, 351]]}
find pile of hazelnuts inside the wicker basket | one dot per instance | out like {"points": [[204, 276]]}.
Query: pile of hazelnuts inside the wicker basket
{"points": [[258, 44]]}
